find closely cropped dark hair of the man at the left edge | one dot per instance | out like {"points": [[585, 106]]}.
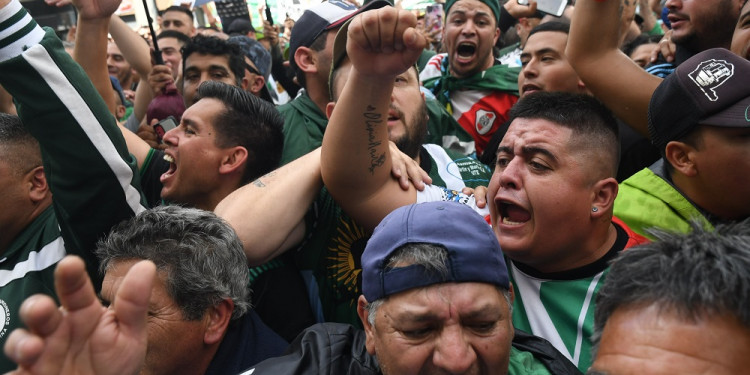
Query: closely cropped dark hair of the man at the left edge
{"points": [[18, 148]]}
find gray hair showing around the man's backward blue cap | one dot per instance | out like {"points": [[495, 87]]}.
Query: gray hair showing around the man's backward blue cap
{"points": [[433, 258]]}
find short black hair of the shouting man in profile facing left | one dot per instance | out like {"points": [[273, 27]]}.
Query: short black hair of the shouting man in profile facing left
{"points": [[247, 121]]}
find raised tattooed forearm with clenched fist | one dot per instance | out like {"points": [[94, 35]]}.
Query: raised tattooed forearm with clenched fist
{"points": [[356, 161]]}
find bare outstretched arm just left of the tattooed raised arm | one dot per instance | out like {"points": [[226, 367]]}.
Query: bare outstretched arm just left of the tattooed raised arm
{"points": [[281, 198]]}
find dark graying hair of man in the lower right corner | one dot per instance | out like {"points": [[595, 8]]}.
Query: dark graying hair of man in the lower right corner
{"points": [[696, 275]]}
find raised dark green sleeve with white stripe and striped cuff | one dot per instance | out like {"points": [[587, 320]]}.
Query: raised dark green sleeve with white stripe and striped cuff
{"points": [[90, 173]]}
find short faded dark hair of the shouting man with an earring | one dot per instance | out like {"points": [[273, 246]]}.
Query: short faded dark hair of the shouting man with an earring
{"points": [[593, 125]]}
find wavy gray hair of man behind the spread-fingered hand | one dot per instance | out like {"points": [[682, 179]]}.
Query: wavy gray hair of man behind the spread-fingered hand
{"points": [[198, 254]]}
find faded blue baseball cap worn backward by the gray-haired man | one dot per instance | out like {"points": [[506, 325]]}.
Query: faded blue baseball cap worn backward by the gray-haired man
{"points": [[474, 255]]}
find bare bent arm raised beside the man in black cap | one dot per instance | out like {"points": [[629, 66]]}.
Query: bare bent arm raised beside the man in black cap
{"points": [[614, 79]]}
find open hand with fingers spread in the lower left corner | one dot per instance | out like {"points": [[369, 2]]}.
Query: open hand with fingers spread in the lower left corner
{"points": [[82, 336]]}
